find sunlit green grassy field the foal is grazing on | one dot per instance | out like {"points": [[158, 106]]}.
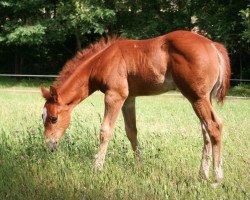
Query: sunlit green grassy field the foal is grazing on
{"points": [[170, 142]]}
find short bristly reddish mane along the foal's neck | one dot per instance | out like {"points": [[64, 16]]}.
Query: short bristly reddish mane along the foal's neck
{"points": [[83, 55]]}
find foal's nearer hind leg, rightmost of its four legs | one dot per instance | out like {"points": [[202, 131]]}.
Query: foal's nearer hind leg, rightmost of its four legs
{"points": [[213, 126]]}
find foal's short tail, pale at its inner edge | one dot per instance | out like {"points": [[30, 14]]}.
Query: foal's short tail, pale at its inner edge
{"points": [[222, 85]]}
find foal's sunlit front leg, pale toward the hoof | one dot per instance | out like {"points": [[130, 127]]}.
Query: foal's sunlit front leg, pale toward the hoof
{"points": [[113, 104]]}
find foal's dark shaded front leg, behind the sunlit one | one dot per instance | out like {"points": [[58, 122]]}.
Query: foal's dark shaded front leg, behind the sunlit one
{"points": [[128, 111]]}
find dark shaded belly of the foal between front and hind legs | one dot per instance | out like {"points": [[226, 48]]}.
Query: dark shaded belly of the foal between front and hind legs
{"points": [[142, 87]]}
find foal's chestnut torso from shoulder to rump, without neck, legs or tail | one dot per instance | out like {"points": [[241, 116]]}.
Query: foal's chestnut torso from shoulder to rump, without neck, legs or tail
{"points": [[154, 66]]}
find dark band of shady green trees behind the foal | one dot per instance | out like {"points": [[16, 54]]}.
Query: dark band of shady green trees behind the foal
{"points": [[39, 36]]}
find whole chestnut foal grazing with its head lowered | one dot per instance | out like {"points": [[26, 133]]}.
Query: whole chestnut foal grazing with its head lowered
{"points": [[123, 69]]}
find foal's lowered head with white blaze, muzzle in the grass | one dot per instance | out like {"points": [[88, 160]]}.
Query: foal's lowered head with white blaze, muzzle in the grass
{"points": [[56, 117]]}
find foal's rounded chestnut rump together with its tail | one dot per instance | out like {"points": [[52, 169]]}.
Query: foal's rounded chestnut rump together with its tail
{"points": [[198, 65]]}
